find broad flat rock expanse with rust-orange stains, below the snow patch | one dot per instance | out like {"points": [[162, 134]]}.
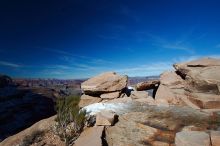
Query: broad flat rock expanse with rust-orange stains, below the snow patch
{"points": [[153, 125]]}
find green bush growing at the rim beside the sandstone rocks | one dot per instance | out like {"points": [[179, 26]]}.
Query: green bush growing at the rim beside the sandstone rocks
{"points": [[70, 119]]}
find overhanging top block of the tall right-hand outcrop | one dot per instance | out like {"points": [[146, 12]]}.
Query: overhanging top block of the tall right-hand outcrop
{"points": [[202, 75]]}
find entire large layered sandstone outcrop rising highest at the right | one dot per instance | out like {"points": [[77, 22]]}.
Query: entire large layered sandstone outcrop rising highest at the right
{"points": [[195, 84]]}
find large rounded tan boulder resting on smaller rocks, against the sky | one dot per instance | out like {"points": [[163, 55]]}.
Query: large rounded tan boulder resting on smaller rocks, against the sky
{"points": [[104, 83]]}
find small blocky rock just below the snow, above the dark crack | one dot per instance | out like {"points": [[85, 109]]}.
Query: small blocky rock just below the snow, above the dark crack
{"points": [[105, 118]]}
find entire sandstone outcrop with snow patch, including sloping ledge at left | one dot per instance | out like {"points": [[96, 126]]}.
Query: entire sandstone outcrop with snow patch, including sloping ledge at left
{"points": [[184, 110]]}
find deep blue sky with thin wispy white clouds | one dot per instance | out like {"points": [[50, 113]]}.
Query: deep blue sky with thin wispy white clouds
{"points": [[81, 38]]}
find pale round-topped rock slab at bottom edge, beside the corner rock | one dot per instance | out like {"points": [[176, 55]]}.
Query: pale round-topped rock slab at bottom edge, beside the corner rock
{"points": [[192, 138]]}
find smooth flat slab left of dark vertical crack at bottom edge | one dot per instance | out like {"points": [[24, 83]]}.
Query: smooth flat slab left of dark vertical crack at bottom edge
{"points": [[90, 137]]}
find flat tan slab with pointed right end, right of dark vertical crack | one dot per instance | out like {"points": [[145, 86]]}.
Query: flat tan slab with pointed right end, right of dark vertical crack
{"points": [[129, 133]]}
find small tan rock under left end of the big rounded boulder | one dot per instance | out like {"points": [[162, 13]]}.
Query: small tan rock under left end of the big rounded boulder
{"points": [[87, 100]]}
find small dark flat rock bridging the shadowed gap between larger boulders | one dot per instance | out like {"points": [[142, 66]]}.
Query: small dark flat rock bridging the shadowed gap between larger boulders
{"points": [[147, 85]]}
